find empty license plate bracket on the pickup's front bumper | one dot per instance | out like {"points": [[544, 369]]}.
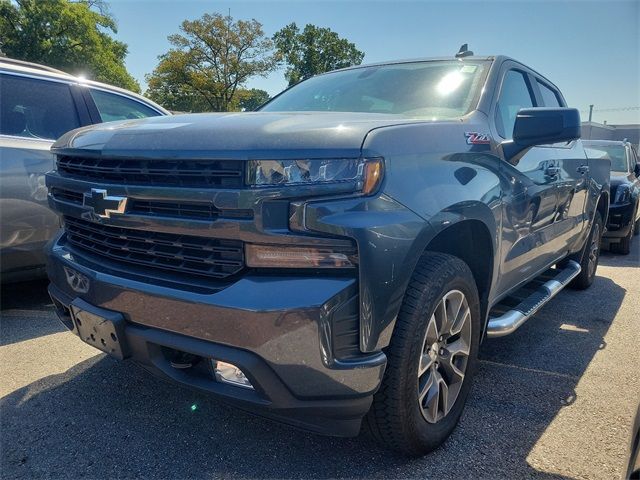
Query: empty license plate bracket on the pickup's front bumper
{"points": [[100, 328]]}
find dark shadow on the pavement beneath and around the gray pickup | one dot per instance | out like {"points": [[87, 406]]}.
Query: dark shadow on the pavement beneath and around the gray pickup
{"points": [[104, 418]]}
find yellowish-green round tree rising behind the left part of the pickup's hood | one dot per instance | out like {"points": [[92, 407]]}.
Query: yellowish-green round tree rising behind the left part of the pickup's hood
{"points": [[211, 59]]}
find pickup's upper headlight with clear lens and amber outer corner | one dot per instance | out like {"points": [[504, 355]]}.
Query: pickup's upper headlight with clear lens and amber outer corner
{"points": [[365, 174]]}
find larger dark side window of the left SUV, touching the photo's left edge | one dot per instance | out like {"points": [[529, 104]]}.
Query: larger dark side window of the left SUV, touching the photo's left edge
{"points": [[35, 108]]}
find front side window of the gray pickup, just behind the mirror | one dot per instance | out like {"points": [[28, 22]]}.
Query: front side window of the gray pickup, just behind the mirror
{"points": [[514, 95]]}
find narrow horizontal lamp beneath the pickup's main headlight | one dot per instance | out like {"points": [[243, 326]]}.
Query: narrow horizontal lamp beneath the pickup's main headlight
{"points": [[294, 257]]}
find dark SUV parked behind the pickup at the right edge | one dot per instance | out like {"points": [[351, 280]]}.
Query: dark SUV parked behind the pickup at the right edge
{"points": [[624, 211]]}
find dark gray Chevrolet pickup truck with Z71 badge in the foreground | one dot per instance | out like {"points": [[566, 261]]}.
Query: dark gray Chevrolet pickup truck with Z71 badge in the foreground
{"points": [[334, 259]]}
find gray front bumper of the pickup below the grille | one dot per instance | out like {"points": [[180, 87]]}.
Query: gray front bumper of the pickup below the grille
{"points": [[282, 335]]}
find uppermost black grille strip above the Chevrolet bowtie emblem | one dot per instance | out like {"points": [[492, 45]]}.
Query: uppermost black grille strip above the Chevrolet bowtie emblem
{"points": [[176, 173]]}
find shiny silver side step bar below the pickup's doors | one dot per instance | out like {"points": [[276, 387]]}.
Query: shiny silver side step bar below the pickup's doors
{"points": [[510, 320]]}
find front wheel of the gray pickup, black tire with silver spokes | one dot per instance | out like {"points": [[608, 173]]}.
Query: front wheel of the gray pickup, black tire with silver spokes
{"points": [[430, 359]]}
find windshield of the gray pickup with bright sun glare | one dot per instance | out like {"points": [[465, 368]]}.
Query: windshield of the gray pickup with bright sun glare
{"points": [[434, 90]]}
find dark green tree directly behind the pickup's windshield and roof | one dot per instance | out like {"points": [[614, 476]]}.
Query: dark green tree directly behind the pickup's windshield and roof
{"points": [[313, 50]]}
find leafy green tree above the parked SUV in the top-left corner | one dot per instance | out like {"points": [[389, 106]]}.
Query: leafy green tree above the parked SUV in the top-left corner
{"points": [[70, 35]]}
